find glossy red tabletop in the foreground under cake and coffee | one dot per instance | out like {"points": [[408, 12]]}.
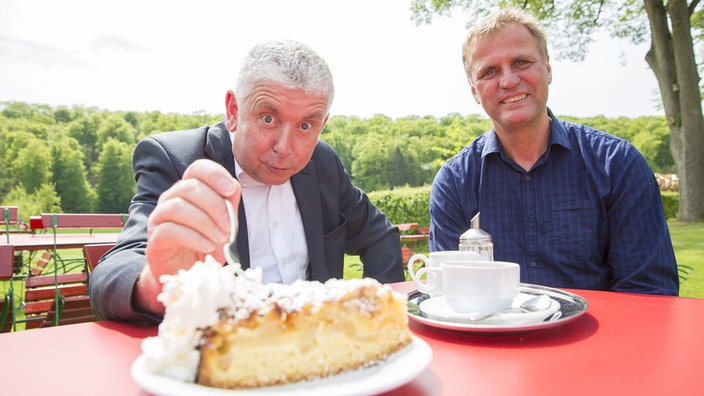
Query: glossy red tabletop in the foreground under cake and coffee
{"points": [[624, 344]]}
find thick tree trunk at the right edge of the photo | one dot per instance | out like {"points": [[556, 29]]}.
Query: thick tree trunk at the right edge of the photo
{"points": [[671, 57]]}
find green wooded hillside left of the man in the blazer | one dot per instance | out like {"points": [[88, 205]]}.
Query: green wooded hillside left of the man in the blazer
{"points": [[50, 157]]}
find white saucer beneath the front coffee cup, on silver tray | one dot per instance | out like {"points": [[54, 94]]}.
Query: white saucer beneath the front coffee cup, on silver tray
{"points": [[436, 308]]}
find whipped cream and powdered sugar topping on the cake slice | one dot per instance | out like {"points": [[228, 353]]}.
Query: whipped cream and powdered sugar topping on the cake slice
{"points": [[195, 298]]}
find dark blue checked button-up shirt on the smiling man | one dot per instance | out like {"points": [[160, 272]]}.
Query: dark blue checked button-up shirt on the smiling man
{"points": [[588, 215]]}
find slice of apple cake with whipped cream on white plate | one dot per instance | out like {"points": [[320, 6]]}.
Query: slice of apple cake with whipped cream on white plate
{"points": [[250, 335]]}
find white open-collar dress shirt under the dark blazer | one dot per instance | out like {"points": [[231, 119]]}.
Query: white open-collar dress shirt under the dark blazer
{"points": [[277, 241]]}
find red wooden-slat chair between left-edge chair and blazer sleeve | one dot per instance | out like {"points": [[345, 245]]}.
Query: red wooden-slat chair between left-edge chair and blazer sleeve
{"points": [[41, 292]]}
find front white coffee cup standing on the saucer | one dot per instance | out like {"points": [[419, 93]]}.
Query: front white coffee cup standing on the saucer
{"points": [[471, 286]]}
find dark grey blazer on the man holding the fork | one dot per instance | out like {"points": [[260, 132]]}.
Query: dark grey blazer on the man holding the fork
{"points": [[338, 218]]}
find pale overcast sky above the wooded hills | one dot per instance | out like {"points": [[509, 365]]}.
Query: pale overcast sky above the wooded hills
{"points": [[182, 57]]}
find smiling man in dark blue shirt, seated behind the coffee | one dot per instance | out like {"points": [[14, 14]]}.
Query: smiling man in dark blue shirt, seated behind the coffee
{"points": [[575, 207]]}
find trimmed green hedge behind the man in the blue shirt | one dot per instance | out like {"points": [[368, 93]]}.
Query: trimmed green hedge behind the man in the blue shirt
{"points": [[410, 204]]}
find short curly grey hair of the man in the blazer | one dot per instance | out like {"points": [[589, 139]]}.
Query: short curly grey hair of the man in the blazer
{"points": [[289, 63]]}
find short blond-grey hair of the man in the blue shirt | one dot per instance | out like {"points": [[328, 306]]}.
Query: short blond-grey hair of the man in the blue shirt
{"points": [[496, 21]]}
